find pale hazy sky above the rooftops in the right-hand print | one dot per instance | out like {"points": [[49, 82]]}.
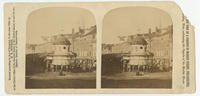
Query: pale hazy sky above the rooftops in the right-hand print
{"points": [[132, 20]]}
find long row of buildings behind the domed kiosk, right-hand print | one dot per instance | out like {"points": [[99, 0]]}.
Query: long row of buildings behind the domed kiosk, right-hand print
{"points": [[159, 43]]}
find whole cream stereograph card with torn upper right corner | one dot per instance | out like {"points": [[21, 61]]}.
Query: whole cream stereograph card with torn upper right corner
{"points": [[98, 47]]}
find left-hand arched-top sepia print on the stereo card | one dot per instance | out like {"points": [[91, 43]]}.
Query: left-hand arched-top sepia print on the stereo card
{"points": [[60, 48]]}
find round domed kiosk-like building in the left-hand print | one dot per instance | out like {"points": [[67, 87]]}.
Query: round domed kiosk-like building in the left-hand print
{"points": [[61, 57]]}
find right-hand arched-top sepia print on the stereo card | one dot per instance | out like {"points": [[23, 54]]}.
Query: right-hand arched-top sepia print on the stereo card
{"points": [[137, 47]]}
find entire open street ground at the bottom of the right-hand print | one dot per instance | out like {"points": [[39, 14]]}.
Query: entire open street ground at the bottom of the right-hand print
{"points": [[130, 80]]}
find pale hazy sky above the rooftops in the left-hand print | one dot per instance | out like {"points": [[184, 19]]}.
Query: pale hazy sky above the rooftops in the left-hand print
{"points": [[56, 20]]}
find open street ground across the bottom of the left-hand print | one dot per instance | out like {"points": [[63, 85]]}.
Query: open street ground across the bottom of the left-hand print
{"points": [[53, 80]]}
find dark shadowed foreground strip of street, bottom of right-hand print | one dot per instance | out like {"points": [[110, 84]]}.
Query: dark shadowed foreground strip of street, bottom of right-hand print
{"points": [[137, 83]]}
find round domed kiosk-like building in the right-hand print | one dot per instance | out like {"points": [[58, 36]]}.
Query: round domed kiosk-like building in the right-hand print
{"points": [[138, 57]]}
